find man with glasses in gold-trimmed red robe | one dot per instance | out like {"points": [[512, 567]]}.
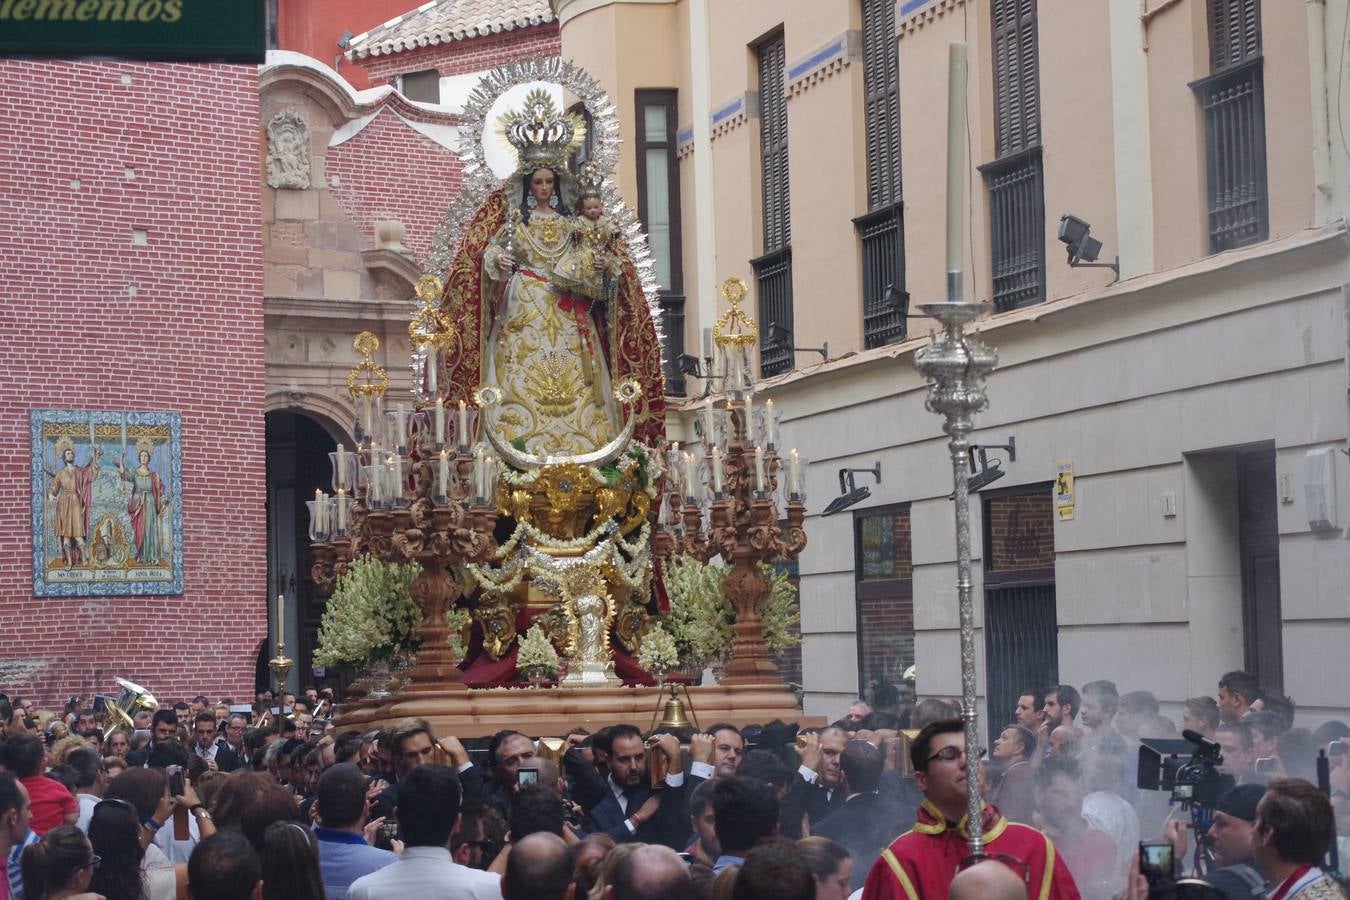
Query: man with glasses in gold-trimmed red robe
{"points": [[923, 862]]}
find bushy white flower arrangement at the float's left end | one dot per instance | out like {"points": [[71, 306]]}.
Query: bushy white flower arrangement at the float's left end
{"points": [[372, 615]]}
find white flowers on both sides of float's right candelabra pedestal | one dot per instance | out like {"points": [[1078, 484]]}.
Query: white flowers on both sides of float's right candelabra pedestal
{"points": [[701, 617]]}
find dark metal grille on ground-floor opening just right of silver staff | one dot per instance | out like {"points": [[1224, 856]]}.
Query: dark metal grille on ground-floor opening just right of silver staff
{"points": [[1021, 647]]}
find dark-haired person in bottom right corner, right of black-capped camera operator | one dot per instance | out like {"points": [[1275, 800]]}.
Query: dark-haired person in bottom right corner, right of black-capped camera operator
{"points": [[1294, 832]]}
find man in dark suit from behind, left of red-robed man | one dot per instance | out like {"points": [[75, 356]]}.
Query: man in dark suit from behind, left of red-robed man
{"points": [[869, 821]]}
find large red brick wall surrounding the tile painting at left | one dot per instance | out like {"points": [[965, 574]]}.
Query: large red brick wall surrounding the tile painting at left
{"points": [[190, 341]]}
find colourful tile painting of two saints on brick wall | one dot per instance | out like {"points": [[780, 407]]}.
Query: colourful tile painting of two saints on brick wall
{"points": [[107, 503]]}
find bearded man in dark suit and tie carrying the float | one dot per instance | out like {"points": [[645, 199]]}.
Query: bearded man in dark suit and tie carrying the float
{"points": [[630, 809]]}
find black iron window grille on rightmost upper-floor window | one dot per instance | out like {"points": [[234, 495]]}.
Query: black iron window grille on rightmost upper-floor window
{"points": [[1235, 156]]}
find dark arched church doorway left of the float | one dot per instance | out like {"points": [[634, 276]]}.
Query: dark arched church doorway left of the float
{"points": [[298, 465]]}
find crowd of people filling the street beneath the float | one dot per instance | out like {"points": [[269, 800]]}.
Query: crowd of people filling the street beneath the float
{"points": [[269, 802]]}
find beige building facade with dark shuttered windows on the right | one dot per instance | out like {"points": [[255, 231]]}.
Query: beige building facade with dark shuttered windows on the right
{"points": [[1198, 404]]}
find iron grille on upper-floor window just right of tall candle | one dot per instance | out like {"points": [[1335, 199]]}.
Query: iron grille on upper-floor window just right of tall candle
{"points": [[1017, 229]]}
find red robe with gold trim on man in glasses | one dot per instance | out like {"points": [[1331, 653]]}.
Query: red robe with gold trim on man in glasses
{"points": [[921, 863]]}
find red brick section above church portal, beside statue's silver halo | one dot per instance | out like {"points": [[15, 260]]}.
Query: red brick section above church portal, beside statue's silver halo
{"points": [[392, 172]]}
